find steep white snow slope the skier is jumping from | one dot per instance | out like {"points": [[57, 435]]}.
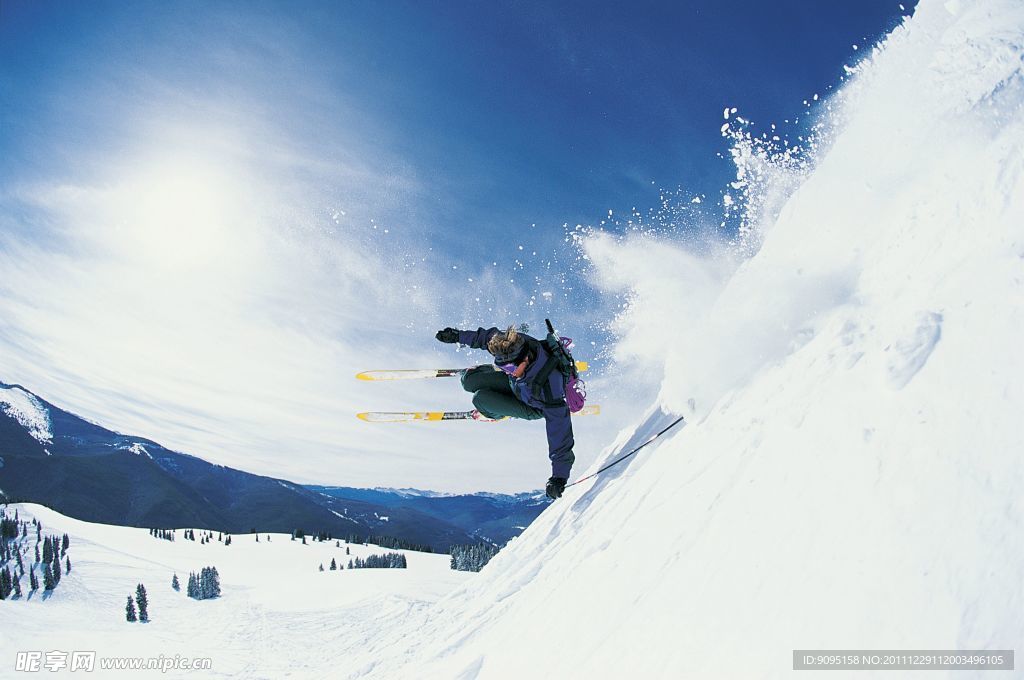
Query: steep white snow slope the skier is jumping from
{"points": [[851, 475]]}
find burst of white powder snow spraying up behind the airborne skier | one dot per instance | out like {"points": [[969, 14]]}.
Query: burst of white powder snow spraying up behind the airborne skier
{"points": [[692, 306]]}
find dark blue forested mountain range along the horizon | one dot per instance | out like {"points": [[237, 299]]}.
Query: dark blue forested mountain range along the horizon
{"points": [[55, 458]]}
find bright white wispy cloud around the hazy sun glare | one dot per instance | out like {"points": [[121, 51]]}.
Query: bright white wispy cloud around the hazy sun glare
{"points": [[216, 282]]}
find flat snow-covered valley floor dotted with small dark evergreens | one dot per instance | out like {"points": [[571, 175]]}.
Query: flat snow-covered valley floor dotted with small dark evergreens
{"points": [[278, 616]]}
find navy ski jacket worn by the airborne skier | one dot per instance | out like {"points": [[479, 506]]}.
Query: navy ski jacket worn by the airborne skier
{"points": [[556, 412]]}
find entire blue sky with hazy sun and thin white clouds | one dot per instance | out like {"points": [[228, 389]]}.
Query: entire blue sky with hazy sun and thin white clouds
{"points": [[215, 214]]}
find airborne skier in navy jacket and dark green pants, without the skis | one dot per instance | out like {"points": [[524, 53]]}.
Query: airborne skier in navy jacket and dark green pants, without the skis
{"points": [[524, 382]]}
